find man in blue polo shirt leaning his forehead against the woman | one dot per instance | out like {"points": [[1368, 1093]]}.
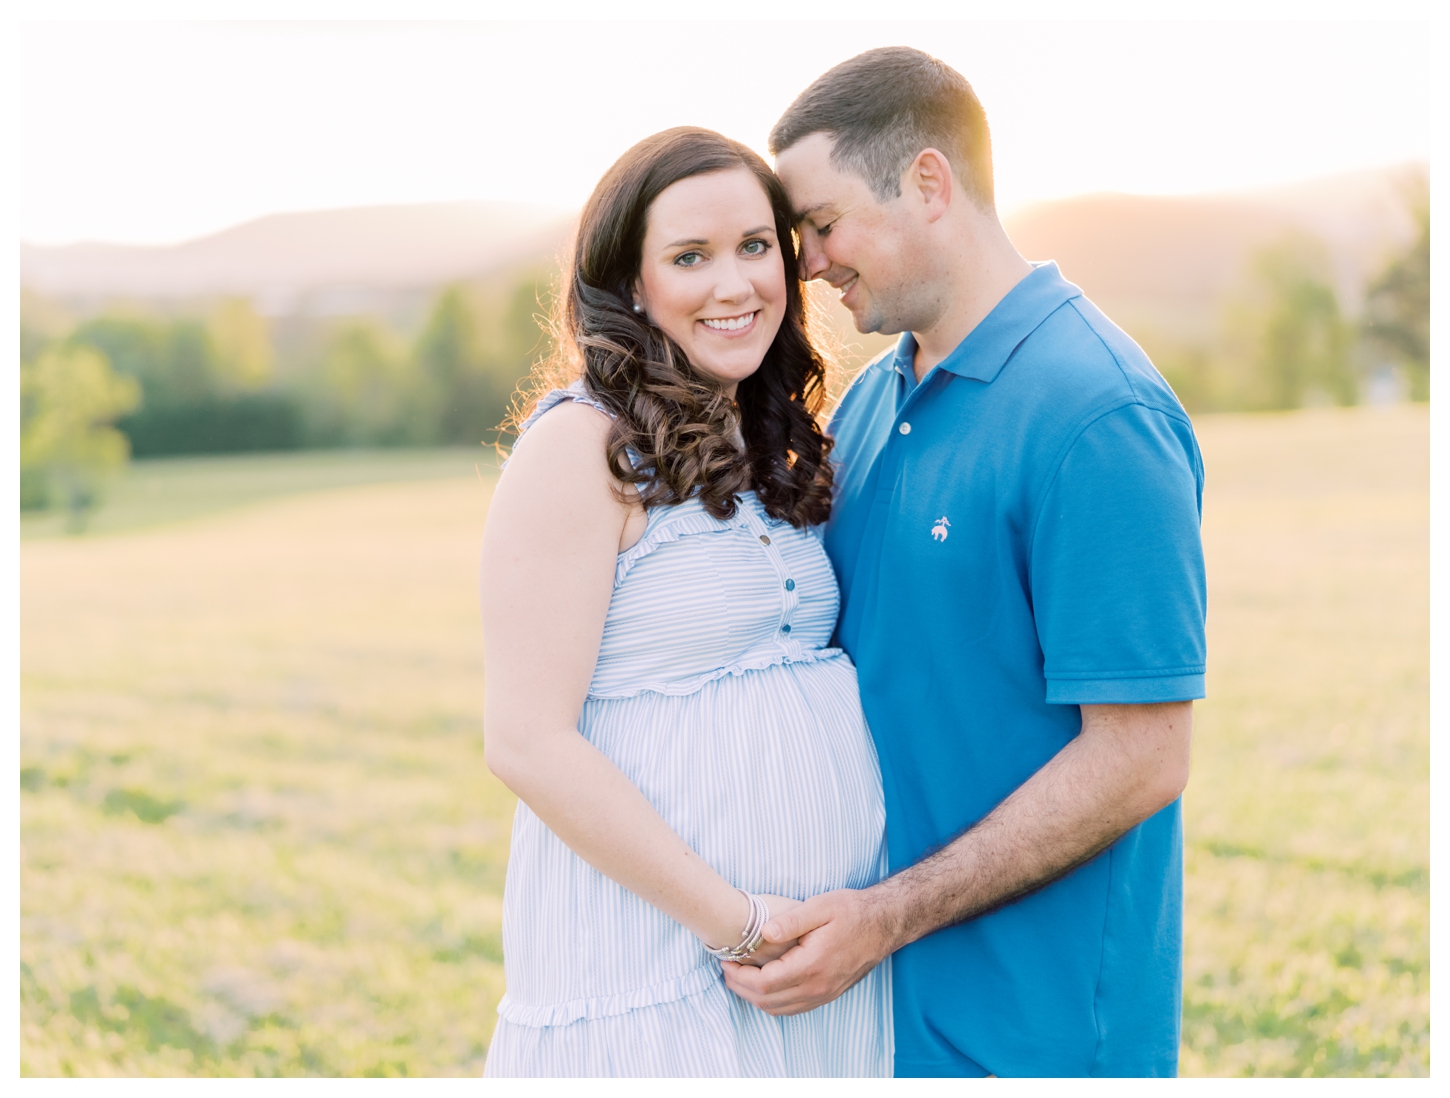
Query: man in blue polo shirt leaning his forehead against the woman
{"points": [[1017, 537]]}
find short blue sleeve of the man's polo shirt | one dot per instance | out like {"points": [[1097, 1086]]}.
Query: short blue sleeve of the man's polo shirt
{"points": [[1117, 565]]}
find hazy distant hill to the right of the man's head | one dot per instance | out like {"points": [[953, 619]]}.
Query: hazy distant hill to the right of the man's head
{"points": [[1165, 266]]}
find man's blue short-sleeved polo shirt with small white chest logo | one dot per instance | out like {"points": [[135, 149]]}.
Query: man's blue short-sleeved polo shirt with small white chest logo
{"points": [[1019, 536]]}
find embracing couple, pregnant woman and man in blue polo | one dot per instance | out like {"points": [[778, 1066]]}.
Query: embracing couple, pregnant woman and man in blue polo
{"points": [[849, 751]]}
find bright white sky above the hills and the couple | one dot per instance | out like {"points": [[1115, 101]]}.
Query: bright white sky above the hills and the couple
{"points": [[156, 133]]}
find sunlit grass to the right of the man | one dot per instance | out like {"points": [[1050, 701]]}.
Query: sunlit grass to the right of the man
{"points": [[1309, 813]]}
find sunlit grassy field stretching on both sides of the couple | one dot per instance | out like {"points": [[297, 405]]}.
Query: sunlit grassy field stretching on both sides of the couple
{"points": [[259, 836]]}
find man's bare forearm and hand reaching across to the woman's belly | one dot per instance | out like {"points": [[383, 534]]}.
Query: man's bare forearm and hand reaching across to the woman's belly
{"points": [[1127, 764]]}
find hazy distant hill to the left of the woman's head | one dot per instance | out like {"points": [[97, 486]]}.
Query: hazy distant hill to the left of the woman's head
{"points": [[286, 259]]}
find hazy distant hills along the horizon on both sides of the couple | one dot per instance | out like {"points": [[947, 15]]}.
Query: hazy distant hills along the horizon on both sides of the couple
{"points": [[1159, 266]]}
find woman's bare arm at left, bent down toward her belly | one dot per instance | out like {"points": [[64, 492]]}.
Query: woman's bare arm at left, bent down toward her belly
{"points": [[549, 568]]}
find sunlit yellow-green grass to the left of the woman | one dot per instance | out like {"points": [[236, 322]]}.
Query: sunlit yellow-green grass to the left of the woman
{"points": [[259, 835]]}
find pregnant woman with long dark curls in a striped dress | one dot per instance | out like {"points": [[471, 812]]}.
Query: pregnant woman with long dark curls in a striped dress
{"points": [[689, 755]]}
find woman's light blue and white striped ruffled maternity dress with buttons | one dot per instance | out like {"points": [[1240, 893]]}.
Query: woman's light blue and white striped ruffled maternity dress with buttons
{"points": [[717, 695]]}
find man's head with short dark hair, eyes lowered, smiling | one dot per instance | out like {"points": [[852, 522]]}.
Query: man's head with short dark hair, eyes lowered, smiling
{"points": [[875, 154]]}
